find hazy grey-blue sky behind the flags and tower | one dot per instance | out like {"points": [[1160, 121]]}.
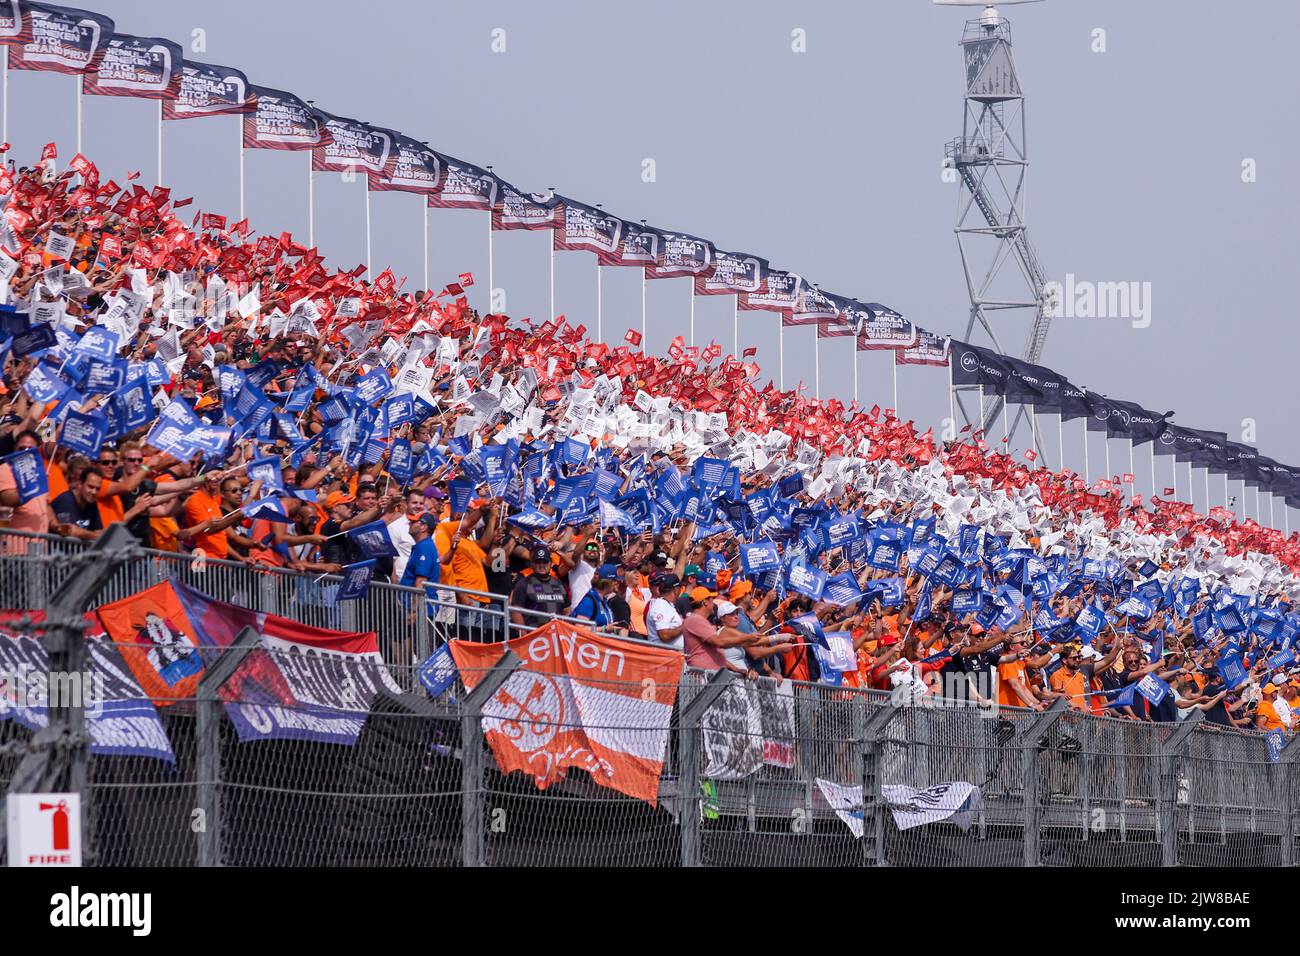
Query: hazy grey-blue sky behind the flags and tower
{"points": [[825, 162]]}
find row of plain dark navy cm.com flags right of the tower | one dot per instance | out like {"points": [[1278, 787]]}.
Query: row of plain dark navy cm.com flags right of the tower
{"points": [[1039, 387]]}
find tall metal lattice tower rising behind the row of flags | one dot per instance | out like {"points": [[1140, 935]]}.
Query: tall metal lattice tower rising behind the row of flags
{"points": [[991, 161]]}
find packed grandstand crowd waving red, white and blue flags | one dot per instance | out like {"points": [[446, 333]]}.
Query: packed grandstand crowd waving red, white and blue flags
{"points": [[245, 403]]}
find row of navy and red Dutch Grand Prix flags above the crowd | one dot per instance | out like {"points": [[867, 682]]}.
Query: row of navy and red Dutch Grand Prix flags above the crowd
{"points": [[42, 37]]}
